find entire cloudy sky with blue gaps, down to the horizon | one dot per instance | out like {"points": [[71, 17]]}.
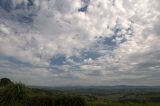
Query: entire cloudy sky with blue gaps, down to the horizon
{"points": [[80, 42]]}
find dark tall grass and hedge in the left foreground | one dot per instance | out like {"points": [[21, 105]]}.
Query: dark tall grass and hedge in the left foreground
{"points": [[19, 95]]}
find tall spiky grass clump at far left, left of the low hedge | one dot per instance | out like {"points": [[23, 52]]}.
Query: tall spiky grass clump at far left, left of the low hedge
{"points": [[14, 95]]}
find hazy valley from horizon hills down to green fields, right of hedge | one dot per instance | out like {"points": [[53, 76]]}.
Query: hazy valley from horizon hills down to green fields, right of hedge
{"points": [[113, 95]]}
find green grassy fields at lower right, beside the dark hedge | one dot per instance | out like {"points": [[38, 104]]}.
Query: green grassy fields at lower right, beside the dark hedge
{"points": [[125, 99]]}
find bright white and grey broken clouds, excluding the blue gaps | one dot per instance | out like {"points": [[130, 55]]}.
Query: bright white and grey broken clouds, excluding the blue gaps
{"points": [[59, 28]]}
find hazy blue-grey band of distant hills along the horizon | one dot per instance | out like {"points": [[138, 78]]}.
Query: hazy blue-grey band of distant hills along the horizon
{"points": [[102, 89]]}
